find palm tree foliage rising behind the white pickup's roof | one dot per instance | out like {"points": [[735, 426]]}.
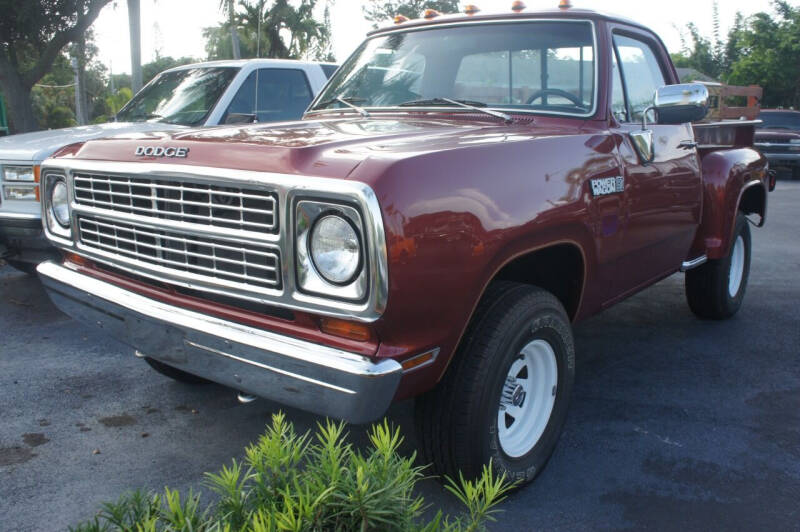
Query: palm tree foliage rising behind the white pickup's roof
{"points": [[275, 29]]}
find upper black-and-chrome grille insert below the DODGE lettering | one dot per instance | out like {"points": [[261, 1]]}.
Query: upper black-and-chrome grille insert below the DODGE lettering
{"points": [[235, 207]]}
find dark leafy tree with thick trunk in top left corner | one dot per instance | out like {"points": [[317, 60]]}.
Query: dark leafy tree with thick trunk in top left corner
{"points": [[33, 34]]}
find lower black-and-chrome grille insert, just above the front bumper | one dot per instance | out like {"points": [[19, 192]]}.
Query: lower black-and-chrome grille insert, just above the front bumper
{"points": [[213, 260]]}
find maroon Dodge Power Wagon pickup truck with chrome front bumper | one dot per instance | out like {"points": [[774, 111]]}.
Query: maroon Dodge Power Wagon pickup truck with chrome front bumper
{"points": [[463, 191]]}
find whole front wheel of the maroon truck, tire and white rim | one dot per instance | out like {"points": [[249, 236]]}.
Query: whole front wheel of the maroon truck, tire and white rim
{"points": [[504, 398]]}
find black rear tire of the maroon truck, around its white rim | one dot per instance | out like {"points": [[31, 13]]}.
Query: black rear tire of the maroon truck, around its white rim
{"points": [[707, 286]]}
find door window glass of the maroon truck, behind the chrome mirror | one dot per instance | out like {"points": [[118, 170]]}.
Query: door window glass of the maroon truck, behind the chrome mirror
{"points": [[641, 71]]}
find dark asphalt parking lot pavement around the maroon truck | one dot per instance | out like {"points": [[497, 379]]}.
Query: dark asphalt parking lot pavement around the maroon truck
{"points": [[676, 423]]}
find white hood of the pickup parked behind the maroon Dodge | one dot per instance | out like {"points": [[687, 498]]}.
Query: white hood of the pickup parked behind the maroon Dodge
{"points": [[38, 146]]}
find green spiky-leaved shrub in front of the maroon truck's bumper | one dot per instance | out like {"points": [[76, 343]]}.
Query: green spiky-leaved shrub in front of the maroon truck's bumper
{"points": [[293, 482]]}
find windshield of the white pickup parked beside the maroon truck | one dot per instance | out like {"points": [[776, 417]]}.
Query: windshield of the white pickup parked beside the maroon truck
{"points": [[184, 97]]}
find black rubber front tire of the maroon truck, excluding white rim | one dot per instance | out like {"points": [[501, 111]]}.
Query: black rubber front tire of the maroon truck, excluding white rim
{"points": [[457, 421]]}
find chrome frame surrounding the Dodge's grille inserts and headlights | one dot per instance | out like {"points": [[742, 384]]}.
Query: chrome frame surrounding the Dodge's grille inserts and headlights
{"points": [[287, 188]]}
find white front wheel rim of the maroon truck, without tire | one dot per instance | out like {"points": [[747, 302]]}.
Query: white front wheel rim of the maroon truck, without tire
{"points": [[527, 400]]}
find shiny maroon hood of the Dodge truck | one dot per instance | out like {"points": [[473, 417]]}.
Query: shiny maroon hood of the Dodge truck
{"points": [[320, 148]]}
